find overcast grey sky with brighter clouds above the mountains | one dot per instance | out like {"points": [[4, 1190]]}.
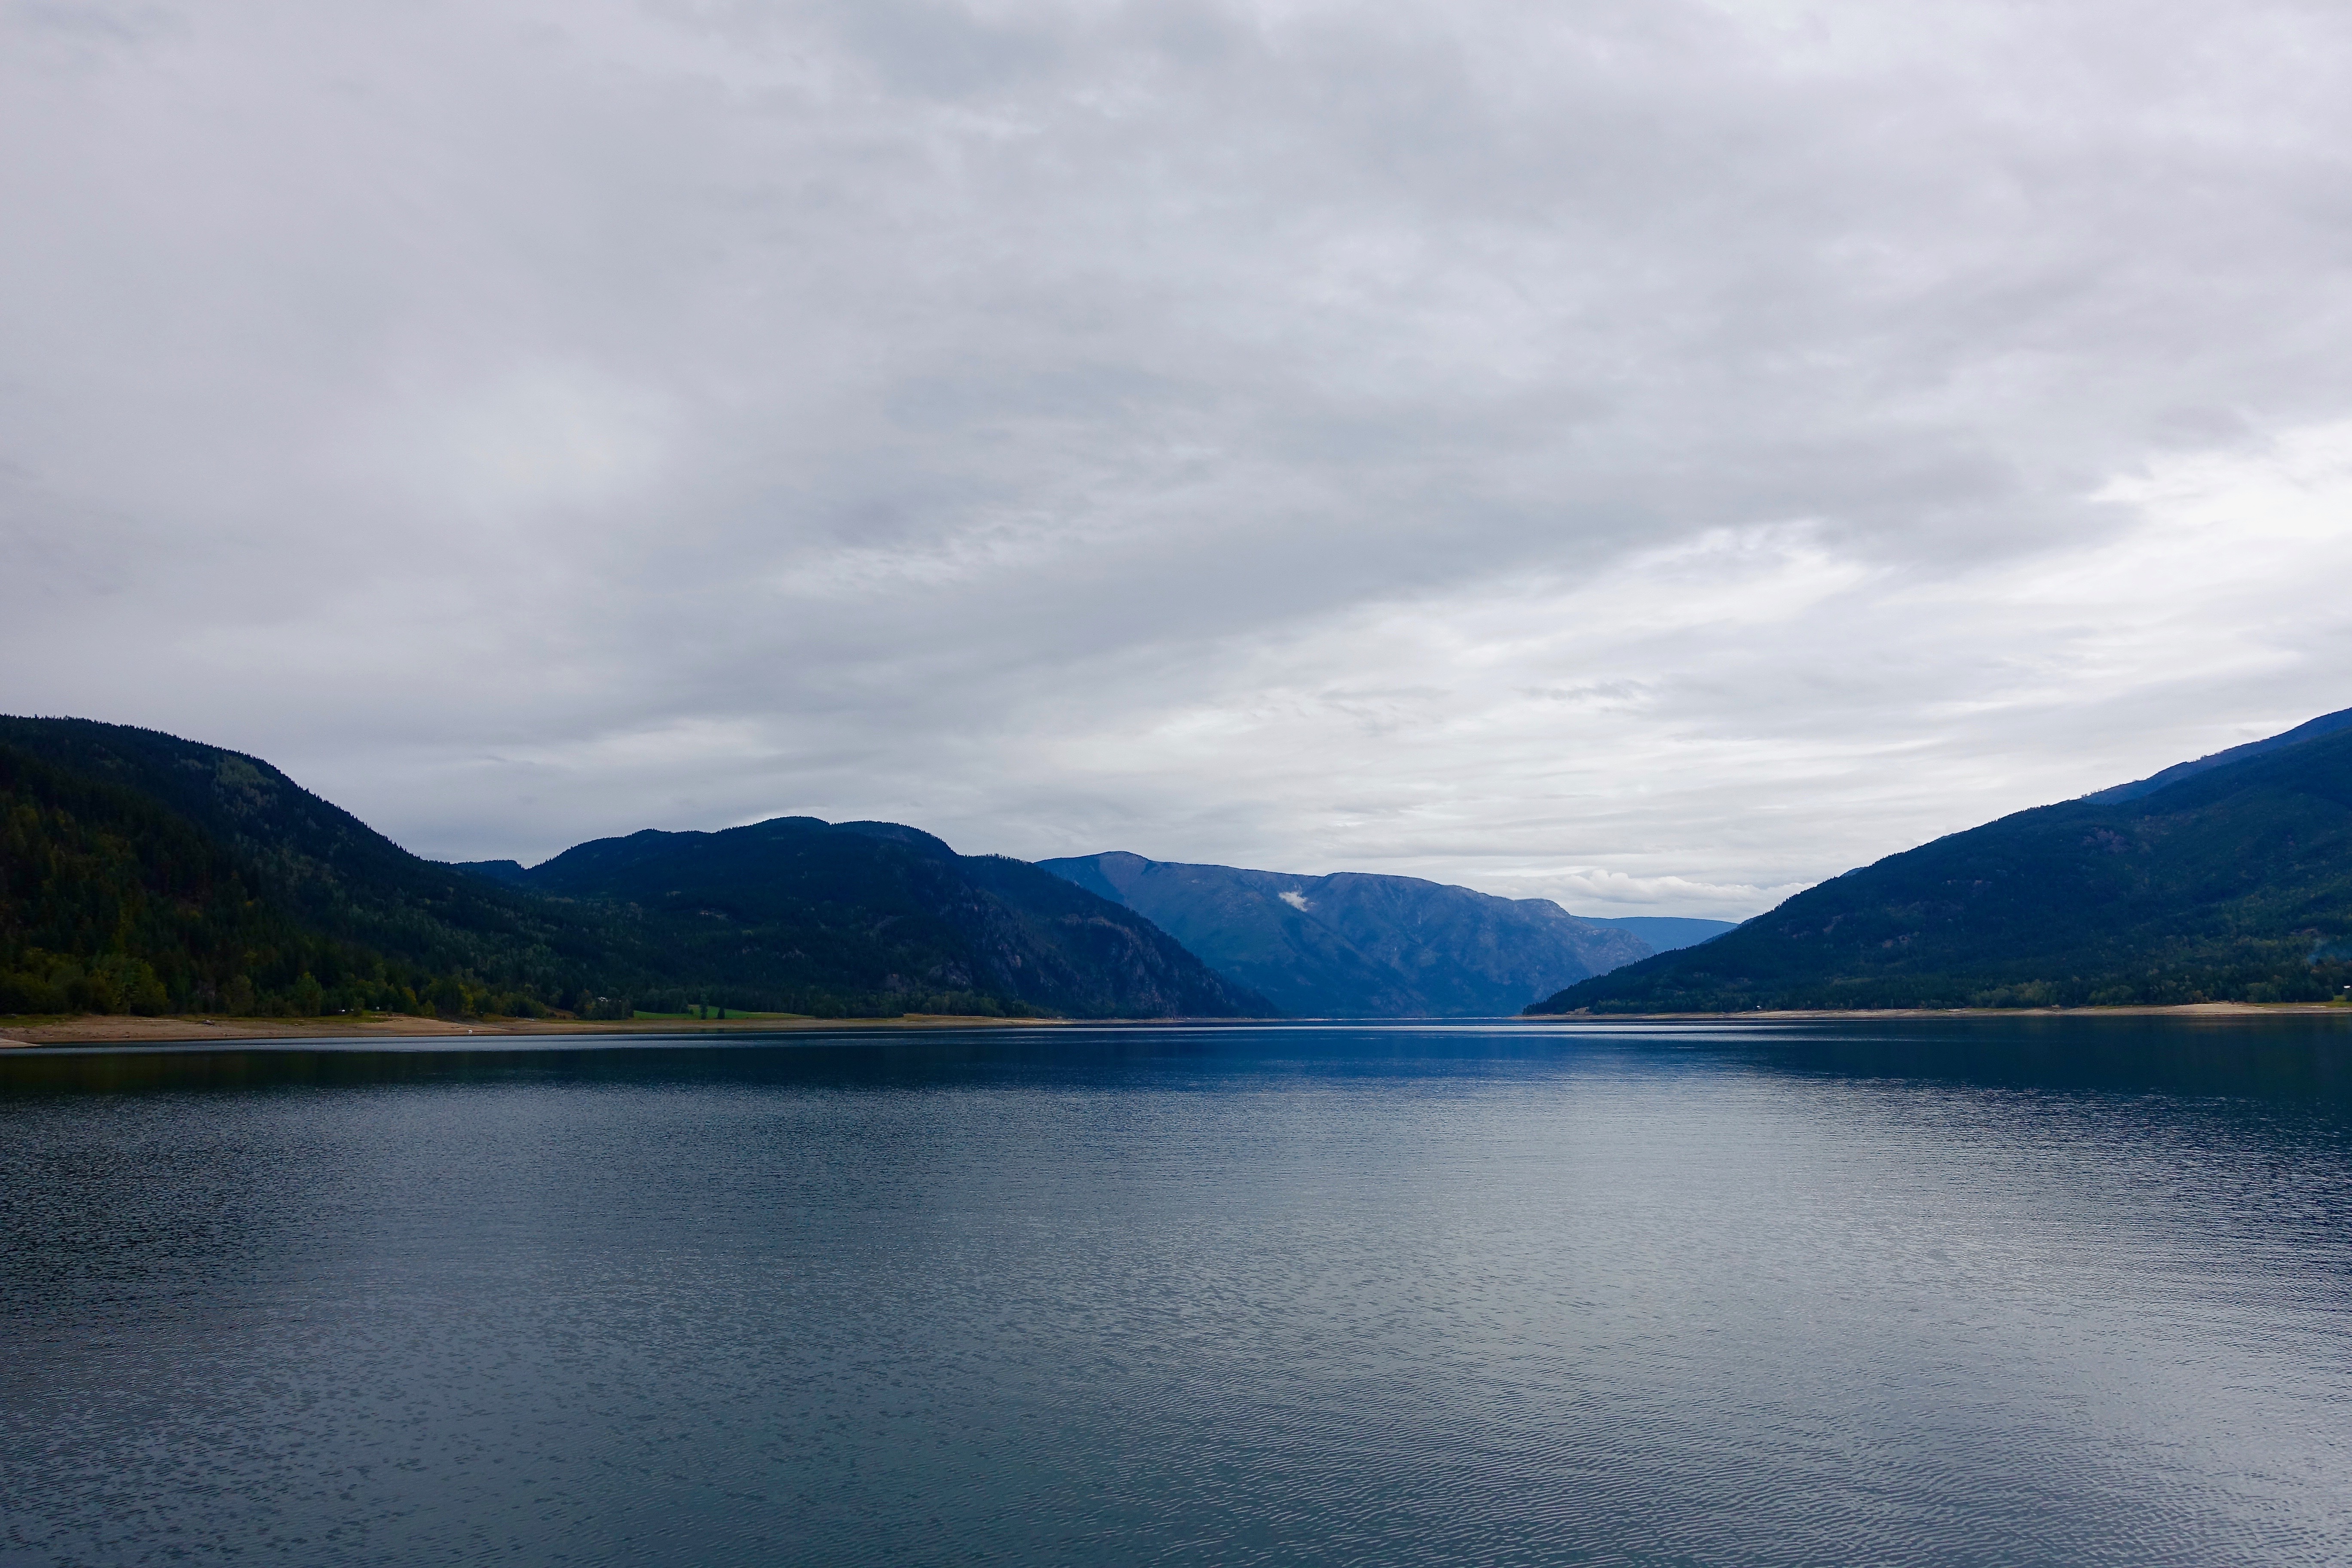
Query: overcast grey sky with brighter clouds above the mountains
{"points": [[1655, 455]]}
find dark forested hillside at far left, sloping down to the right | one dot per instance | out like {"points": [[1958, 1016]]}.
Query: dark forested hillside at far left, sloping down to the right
{"points": [[149, 873]]}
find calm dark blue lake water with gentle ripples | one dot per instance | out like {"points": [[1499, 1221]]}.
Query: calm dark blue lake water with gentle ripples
{"points": [[1972, 1292]]}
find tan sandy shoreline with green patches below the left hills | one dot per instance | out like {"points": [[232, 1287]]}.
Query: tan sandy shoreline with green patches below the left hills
{"points": [[119, 1031]]}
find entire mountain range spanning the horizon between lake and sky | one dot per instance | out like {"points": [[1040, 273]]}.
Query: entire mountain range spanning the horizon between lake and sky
{"points": [[145, 876]]}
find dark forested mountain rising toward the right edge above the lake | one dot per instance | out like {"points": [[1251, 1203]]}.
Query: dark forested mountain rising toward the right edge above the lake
{"points": [[2224, 880]]}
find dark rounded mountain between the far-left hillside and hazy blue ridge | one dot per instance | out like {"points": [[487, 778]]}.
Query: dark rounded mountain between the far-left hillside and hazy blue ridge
{"points": [[796, 909]]}
